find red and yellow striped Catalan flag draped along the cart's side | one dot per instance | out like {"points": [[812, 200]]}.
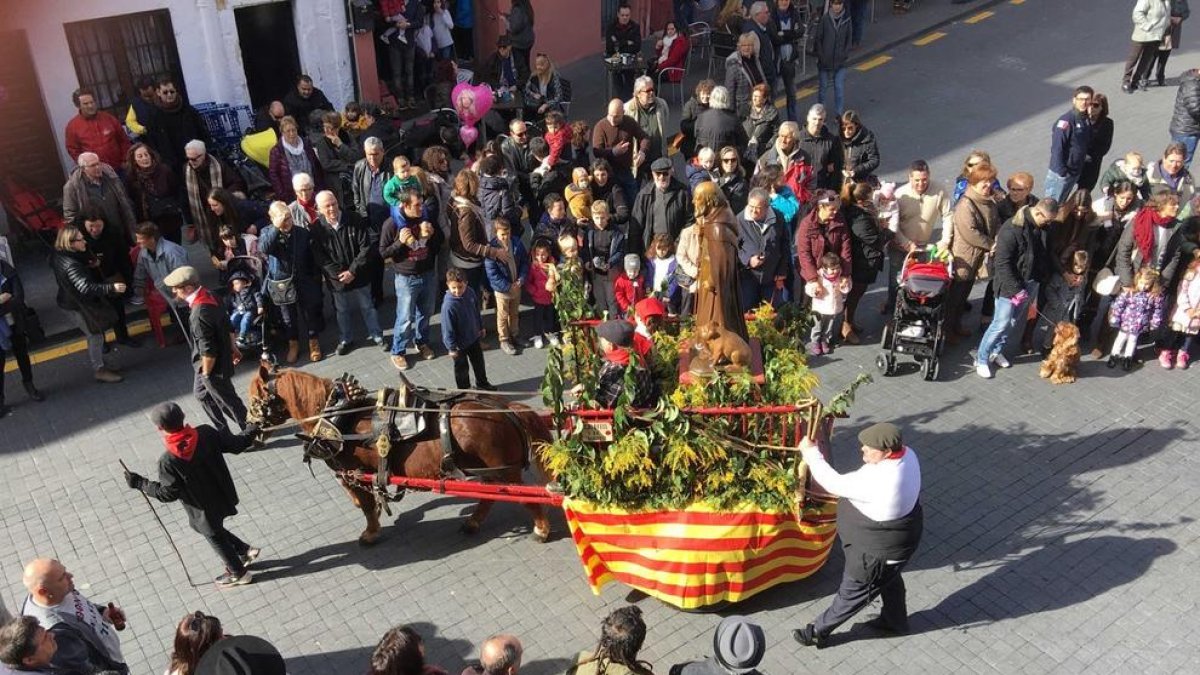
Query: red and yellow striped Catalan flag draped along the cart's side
{"points": [[699, 557]]}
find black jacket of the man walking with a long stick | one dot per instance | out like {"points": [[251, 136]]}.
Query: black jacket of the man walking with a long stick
{"points": [[202, 482]]}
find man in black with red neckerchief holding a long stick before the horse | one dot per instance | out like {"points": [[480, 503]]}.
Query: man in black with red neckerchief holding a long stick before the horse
{"points": [[194, 471]]}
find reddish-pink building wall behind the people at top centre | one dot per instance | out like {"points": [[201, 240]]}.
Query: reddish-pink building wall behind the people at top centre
{"points": [[568, 31]]}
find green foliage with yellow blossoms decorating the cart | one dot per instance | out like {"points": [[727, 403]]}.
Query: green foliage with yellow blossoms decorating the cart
{"points": [[668, 459]]}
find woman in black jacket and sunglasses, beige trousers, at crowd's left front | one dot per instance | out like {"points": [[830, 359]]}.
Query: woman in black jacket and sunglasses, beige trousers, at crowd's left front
{"points": [[86, 296]]}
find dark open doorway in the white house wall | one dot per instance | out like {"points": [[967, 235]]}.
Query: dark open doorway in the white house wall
{"points": [[269, 52]]}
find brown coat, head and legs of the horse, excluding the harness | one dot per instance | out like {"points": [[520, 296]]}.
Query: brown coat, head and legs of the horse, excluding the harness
{"points": [[484, 439]]}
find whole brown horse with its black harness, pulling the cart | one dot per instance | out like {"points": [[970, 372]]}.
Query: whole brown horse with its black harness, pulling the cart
{"points": [[454, 437]]}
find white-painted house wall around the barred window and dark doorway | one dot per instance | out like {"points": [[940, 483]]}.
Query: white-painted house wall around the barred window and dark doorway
{"points": [[207, 40]]}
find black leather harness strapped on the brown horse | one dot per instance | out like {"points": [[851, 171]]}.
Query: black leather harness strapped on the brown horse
{"points": [[400, 419]]}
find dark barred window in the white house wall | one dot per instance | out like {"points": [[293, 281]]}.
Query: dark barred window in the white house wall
{"points": [[111, 55]]}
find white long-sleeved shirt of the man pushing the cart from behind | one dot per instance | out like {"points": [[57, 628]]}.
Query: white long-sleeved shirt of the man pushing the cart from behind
{"points": [[881, 492]]}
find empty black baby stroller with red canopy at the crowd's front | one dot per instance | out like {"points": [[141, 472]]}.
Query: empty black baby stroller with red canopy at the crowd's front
{"points": [[917, 327]]}
